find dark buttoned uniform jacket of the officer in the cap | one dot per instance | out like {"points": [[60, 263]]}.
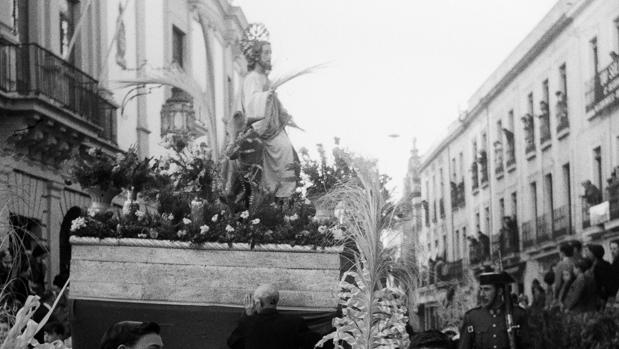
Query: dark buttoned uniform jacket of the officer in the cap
{"points": [[486, 329]]}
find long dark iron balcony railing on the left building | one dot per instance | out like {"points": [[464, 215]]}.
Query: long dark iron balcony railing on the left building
{"points": [[31, 70]]}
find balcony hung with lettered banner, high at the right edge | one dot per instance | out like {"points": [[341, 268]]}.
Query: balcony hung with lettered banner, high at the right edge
{"points": [[602, 89]]}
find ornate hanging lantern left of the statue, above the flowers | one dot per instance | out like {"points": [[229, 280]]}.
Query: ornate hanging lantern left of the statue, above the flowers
{"points": [[177, 114]]}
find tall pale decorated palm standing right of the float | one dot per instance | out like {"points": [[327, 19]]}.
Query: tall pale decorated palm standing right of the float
{"points": [[374, 313]]}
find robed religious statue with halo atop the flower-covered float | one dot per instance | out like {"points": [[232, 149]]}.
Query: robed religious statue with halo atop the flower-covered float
{"points": [[264, 119]]}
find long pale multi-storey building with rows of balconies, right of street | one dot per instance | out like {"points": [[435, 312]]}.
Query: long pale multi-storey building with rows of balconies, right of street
{"points": [[532, 163]]}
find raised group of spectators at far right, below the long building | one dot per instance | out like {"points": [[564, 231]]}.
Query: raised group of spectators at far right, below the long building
{"points": [[581, 281]]}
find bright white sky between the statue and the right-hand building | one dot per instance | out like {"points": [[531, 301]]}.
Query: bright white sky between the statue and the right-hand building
{"points": [[395, 66]]}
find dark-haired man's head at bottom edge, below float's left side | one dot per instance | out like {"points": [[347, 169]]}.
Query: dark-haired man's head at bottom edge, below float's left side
{"points": [[132, 335]]}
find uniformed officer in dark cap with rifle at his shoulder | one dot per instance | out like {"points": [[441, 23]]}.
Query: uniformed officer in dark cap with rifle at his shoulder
{"points": [[485, 327]]}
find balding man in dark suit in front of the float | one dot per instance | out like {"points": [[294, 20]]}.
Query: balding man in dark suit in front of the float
{"points": [[263, 327]]}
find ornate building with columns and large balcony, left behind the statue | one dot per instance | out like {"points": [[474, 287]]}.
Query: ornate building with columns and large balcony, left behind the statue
{"points": [[60, 61]]}
